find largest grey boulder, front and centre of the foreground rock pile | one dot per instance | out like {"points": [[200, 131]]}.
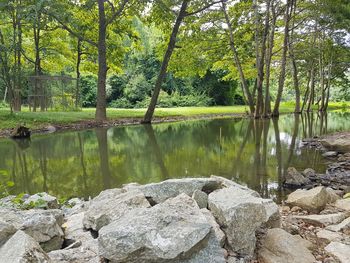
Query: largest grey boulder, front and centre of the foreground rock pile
{"points": [[174, 231]]}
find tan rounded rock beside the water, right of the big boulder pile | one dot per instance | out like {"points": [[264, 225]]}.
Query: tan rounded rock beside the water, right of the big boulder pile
{"points": [[313, 200]]}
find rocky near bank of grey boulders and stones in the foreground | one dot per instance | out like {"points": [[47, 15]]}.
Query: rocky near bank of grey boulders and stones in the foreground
{"points": [[178, 220]]}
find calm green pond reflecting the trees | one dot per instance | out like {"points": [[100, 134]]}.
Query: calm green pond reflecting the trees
{"points": [[255, 153]]}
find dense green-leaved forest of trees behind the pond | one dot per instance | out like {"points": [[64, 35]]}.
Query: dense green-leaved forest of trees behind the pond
{"points": [[172, 53]]}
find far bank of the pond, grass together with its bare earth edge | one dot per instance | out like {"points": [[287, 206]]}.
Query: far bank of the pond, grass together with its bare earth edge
{"points": [[40, 122]]}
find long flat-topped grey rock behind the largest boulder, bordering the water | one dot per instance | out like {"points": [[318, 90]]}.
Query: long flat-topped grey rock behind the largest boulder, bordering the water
{"points": [[159, 192]]}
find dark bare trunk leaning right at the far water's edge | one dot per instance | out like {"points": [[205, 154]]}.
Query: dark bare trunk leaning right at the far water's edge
{"points": [[171, 45]]}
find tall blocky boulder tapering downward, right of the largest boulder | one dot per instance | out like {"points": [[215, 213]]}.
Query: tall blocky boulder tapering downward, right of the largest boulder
{"points": [[240, 214]]}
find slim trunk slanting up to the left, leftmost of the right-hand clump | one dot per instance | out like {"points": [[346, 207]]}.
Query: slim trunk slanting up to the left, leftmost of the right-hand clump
{"points": [[237, 61]]}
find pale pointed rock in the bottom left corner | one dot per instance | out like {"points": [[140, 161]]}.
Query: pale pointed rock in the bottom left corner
{"points": [[21, 248]]}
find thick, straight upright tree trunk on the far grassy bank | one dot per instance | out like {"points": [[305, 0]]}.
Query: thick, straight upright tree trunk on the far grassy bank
{"points": [[101, 103]]}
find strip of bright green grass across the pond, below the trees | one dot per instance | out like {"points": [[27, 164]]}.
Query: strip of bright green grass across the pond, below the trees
{"points": [[36, 120]]}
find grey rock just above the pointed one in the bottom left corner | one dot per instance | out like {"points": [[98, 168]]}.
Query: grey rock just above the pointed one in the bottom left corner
{"points": [[43, 227]]}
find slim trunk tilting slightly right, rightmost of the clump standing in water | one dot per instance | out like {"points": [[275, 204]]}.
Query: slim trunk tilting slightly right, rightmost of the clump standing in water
{"points": [[282, 76]]}
